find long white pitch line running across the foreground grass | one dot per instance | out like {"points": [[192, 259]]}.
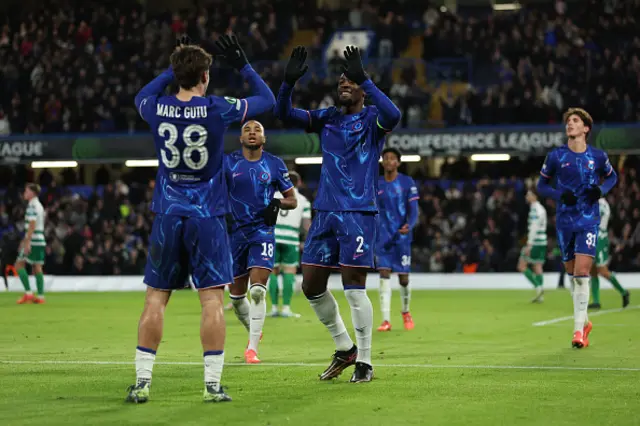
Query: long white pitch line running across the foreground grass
{"points": [[303, 364]]}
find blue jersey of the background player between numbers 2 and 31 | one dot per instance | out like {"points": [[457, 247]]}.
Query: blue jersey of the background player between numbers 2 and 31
{"points": [[394, 199]]}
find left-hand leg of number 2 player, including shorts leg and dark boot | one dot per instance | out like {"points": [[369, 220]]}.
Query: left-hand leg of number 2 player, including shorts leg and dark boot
{"points": [[319, 258]]}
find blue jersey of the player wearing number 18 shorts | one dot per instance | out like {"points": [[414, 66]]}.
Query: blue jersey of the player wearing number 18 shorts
{"points": [[252, 185]]}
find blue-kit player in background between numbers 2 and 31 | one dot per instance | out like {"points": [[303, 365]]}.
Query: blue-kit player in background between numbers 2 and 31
{"points": [[398, 203]]}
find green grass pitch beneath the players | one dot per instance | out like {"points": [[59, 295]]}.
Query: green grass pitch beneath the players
{"points": [[458, 336]]}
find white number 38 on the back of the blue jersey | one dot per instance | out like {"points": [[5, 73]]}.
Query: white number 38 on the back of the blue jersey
{"points": [[192, 144]]}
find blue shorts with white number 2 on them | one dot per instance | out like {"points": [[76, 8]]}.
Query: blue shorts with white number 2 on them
{"points": [[341, 239]]}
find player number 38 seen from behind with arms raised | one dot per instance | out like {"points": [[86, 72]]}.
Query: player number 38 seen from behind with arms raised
{"points": [[189, 234]]}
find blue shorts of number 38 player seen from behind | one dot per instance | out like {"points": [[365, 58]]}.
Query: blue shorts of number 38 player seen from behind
{"points": [[180, 246]]}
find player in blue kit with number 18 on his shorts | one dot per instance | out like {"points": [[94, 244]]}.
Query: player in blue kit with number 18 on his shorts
{"points": [[253, 177]]}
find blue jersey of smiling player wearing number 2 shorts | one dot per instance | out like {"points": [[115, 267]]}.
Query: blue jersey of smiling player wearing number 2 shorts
{"points": [[351, 148]]}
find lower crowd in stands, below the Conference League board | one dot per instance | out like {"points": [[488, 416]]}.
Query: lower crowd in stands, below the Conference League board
{"points": [[472, 225]]}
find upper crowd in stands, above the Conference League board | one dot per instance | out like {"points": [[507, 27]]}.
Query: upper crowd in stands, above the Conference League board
{"points": [[76, 65]]}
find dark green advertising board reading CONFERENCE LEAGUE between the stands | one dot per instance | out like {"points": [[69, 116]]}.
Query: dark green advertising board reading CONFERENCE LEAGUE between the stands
{"points": [[116, 148]]}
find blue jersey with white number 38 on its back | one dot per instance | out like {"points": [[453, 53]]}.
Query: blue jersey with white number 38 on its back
{"points": [[189, 142]]}
